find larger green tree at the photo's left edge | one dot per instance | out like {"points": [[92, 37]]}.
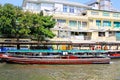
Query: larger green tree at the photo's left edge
{"points": [[13, 22]]}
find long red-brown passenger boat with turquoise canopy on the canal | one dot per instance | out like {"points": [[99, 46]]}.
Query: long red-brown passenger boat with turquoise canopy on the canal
{"points": [[55, 57]]}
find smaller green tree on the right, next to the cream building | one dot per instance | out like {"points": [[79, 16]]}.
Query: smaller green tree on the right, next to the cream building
{"points": [[41, 27]]}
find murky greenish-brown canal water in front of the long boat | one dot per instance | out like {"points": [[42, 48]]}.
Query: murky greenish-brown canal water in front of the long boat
{"points": [[61, 72]]}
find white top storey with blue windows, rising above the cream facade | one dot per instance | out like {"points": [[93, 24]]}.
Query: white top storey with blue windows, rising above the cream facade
{"points": [[53, 5]]}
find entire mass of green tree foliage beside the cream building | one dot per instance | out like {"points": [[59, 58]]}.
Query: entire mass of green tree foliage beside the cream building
{"points": [[16, 23]]}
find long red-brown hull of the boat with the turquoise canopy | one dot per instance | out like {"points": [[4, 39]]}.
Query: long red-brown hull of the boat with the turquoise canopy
{"points": [[58, 61]]}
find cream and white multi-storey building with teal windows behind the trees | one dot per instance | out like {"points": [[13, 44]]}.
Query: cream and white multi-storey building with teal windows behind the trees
{"points": [[78, 22]]}
